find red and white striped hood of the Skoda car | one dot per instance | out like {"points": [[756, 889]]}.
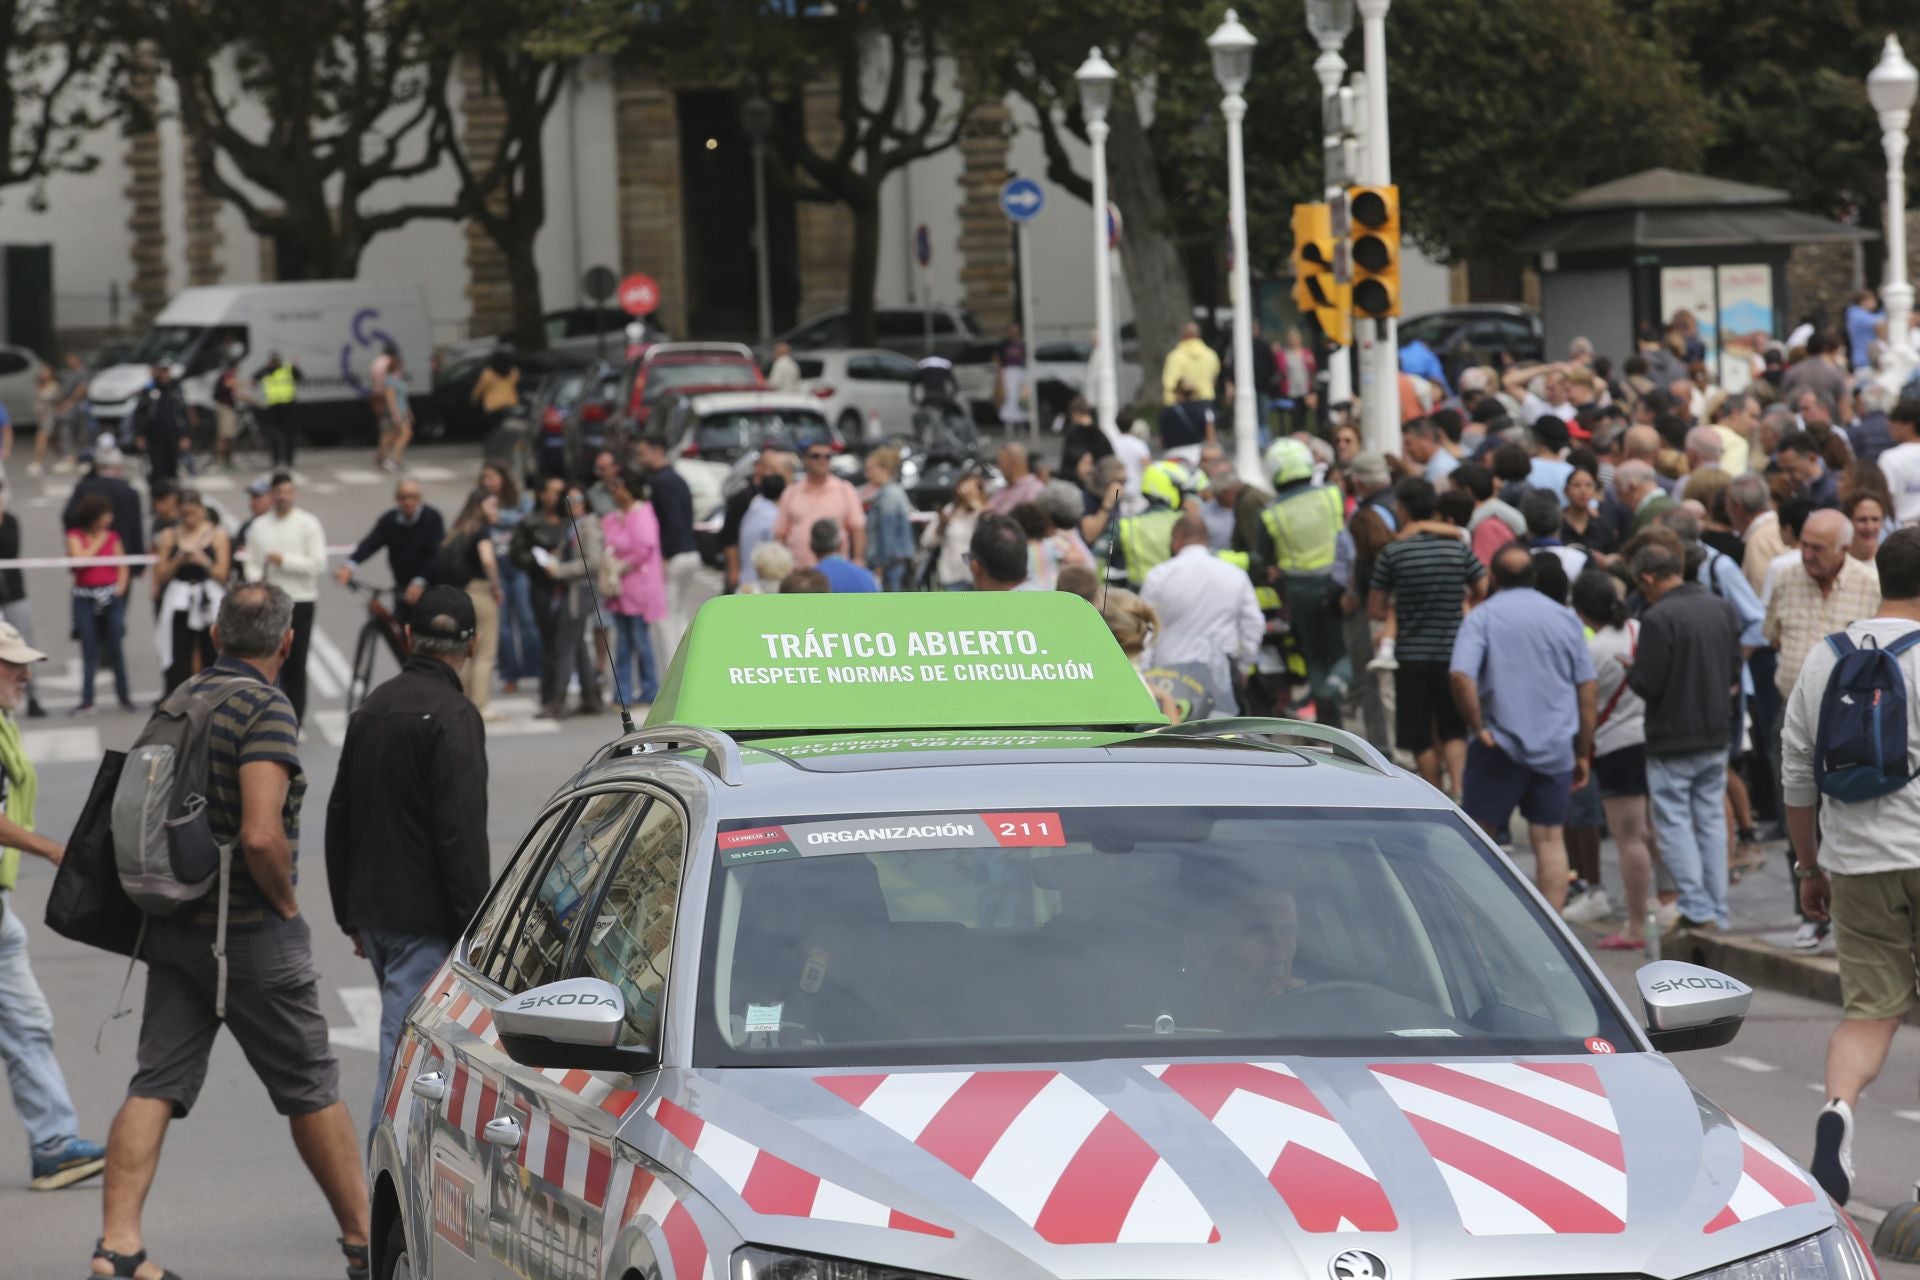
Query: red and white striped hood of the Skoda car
{"points": [[1595, 1166]]}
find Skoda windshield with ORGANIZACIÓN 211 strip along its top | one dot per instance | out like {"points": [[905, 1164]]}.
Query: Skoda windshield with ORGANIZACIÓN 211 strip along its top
{"points": [[948, 937]]}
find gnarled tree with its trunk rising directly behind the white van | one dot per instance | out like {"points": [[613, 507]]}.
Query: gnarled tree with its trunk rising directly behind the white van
{"points": [[348, 93]]}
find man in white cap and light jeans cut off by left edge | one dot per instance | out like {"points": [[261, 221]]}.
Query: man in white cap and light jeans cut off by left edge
{"points": [[60, 1156]]}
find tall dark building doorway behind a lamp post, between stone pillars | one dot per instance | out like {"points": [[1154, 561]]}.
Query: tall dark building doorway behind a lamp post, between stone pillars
{"points": [[717, 214]]}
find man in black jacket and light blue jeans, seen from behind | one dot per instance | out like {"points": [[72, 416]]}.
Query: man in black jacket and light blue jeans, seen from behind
{"points": [[1687, 669]]}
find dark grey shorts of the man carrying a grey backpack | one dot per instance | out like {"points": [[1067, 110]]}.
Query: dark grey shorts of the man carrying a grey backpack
{"points": [[274, 1008]]}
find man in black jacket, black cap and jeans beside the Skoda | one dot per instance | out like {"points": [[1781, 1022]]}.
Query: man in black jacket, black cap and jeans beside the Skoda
{"points": [[406, 826]]}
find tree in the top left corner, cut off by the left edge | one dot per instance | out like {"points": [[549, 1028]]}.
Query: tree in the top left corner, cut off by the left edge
{"points": [[57, 66]]}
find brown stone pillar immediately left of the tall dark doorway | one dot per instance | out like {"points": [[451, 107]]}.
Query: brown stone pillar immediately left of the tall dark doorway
{"points": [[648, 154]]}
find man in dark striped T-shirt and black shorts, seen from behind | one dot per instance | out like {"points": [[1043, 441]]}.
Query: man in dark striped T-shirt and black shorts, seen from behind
{"points": [[1429, 575]]}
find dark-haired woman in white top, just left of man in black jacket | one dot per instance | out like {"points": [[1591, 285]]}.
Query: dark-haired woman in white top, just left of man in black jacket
{"points": [[1620, 747]]}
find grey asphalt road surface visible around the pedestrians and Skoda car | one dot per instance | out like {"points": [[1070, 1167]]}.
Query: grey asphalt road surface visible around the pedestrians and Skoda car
{"points": [[233, 1200]]}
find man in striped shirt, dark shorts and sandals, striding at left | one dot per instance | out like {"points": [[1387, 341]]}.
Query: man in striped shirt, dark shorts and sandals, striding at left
{"points": [[274, 1003]]}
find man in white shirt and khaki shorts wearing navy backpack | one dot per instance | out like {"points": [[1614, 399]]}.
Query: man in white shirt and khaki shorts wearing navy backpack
{"points": [[1850, 749]]}
